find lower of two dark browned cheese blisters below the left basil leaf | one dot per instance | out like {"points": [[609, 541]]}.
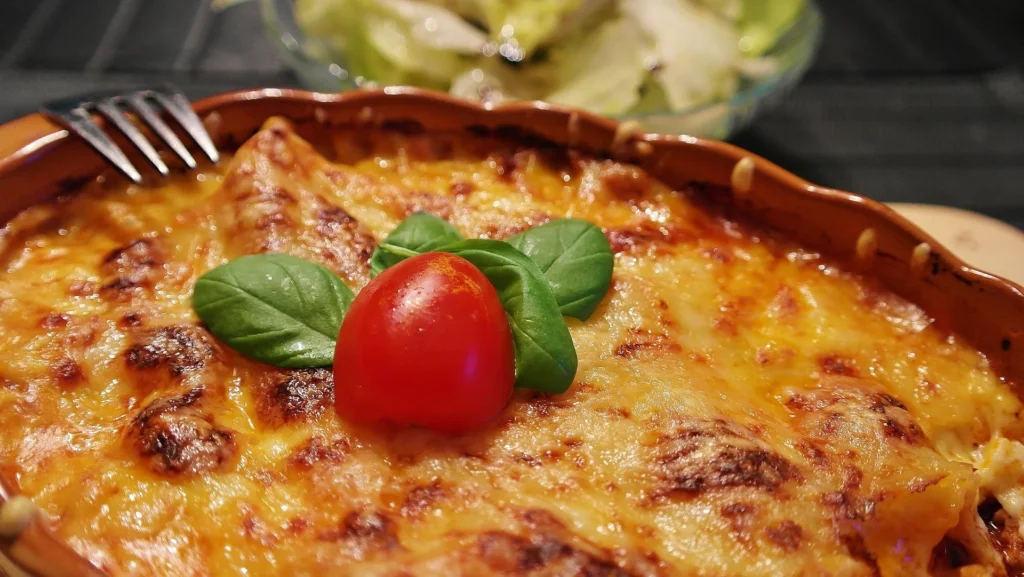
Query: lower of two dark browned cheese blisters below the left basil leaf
{"points": [[175, 438]]}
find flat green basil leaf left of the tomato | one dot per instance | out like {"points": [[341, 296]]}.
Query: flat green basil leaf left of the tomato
{"points": [[276, 309]]}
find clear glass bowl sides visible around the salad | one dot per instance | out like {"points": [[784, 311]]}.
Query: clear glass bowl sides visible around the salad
{"points": [[323, 69]]}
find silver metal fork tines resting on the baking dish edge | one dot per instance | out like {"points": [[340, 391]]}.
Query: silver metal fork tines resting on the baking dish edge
{"points": [[76, 115]]}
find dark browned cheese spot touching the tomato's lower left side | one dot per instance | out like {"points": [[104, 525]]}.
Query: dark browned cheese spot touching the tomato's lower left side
{"points": [[300, 396]]}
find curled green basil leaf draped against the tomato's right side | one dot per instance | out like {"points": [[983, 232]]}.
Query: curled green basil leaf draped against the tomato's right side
{"points": [[545, 357]]}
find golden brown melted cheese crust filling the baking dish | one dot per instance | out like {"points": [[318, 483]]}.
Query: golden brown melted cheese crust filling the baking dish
{"points": [[743, 407]]}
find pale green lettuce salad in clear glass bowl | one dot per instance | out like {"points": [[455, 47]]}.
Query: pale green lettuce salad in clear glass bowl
{"points": [[699, 67]]}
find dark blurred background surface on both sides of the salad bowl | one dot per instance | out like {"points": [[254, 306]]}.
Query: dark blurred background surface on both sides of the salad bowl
{"points": [[911, 101]]}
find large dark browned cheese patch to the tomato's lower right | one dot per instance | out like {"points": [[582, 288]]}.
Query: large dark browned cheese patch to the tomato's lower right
{"points": [[698, 457]]}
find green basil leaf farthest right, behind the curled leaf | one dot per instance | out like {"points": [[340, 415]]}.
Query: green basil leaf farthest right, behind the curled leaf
{"points": [[577, 260]]}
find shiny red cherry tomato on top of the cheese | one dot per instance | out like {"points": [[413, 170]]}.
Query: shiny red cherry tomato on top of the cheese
{"points": [[426, 344]]}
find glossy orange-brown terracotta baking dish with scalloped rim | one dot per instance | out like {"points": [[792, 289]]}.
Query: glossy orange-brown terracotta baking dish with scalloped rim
{"points": [[38, 161]]}
